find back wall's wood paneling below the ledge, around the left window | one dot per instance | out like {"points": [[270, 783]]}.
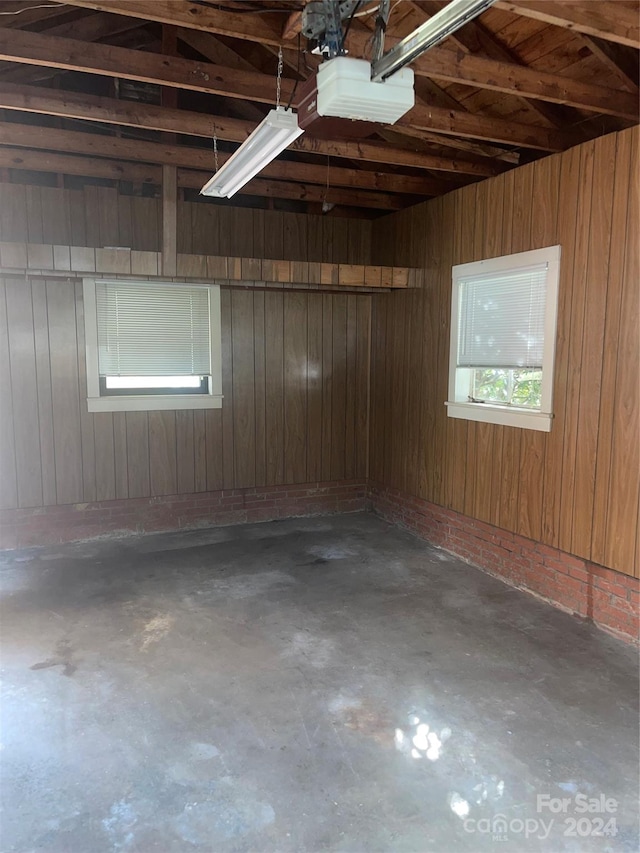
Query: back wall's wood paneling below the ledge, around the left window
{"points": [[295, 410]]}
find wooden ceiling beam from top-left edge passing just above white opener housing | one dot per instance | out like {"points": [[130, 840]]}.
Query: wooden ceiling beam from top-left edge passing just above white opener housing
{"points": [[438, 62]]}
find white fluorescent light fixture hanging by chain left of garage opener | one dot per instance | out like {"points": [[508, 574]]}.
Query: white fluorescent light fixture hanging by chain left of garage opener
{"points": [[272, 136]]}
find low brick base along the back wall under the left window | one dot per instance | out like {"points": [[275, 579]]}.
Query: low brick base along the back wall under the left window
{"points": [[20, 528]]}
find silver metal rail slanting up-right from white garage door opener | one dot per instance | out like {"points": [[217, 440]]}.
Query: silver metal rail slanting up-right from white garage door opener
{"points": [[454, 15]]}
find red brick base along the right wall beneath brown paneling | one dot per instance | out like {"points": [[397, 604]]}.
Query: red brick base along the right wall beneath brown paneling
{"points": [[608, 598]]}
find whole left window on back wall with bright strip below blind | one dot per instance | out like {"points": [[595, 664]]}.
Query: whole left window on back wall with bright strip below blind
{"points": [[152, 345]]}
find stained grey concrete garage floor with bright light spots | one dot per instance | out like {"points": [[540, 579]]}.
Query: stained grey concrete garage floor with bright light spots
{"points": [[257, 688]]}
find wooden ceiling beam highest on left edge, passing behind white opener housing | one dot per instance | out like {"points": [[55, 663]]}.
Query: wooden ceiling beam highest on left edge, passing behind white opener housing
{"points": [[250, 85]]}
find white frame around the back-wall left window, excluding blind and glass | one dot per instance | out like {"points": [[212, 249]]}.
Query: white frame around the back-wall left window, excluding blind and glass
{"points": [[149, 402]]}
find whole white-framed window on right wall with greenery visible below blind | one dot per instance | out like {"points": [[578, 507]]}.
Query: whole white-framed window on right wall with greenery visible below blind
{"points": [[503, 333]]}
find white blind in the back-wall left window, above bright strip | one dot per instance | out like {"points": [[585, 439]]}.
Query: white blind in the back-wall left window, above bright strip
{"points": [[152, 330]]}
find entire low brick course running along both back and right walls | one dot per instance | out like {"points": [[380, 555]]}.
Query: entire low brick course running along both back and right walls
{"points": [[608, 598]]}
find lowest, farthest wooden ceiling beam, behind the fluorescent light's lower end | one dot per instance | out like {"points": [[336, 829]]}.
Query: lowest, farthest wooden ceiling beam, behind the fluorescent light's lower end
{"points": [[88, 167]]}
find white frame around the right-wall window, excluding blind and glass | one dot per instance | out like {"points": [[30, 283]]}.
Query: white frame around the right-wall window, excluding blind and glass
{"points": [[458, 405]]}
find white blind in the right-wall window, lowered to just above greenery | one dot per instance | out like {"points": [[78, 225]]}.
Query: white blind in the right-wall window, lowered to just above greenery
{"points": [[502, 318]]}
